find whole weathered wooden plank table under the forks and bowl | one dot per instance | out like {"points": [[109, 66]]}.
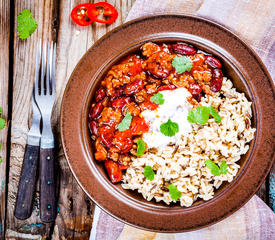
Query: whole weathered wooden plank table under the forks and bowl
{"points": [[17, 60]]}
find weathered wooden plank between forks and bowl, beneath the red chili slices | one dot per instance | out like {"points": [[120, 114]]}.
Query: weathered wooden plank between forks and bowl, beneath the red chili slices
{"points": [[74, 220]]}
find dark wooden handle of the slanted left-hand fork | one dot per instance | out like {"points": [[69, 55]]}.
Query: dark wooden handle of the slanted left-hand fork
{"points": [[23, 206]]}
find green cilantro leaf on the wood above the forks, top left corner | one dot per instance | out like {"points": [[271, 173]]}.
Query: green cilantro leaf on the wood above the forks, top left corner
{"points": [[26, 24]]}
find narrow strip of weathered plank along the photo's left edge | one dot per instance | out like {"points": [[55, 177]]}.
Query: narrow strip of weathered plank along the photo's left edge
{"points": [[4, 90]]}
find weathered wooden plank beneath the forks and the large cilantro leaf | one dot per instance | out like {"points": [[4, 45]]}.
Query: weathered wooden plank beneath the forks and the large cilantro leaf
{"points": [[23, 76]]}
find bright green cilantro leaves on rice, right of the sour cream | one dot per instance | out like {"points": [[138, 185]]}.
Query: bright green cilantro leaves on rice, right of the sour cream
{"points": [[201, 115]]}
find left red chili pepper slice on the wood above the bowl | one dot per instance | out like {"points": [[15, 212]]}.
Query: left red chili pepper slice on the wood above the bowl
{"points": [[80, 15]]}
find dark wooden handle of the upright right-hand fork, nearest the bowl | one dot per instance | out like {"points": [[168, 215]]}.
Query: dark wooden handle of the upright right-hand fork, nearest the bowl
{"points": [[47, 186]]}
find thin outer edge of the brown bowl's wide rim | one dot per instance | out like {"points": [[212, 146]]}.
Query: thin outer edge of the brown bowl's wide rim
{"points": [[62, 119]]}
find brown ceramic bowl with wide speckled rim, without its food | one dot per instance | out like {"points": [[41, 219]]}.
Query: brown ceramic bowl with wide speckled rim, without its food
{"points": [[240, 64]]}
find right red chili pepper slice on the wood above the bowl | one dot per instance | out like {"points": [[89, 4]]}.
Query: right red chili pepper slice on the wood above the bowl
{"points": [[109, 12]]}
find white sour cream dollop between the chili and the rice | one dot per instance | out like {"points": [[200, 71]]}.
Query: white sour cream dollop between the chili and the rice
{"points": [[175, 108]]}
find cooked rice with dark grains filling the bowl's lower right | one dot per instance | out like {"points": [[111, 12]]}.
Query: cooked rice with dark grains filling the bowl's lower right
{"points": [[184, 166]]}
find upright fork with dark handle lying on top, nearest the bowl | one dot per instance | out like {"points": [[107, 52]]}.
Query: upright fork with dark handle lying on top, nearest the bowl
{"points": [[45, 97]]}
